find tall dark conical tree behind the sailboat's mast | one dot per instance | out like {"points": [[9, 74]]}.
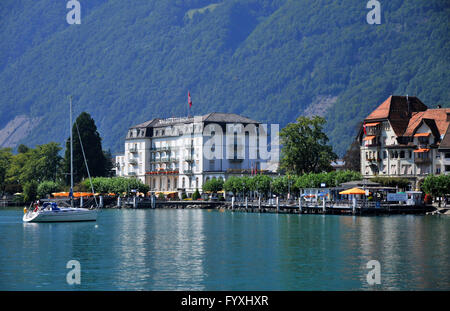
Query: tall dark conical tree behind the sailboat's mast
{"points": [[92, 144]]}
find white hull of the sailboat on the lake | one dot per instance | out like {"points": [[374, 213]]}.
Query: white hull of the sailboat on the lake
{"points": [[62, 215]]}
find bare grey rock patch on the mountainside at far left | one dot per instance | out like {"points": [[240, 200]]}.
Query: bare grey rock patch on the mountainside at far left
{"points": [[16, 130]]}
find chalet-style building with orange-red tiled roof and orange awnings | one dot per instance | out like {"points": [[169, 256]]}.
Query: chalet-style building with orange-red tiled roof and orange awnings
{"points": [[404, 138]]}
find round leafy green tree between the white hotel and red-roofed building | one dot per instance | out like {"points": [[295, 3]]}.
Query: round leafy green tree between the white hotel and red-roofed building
{"points": [[304, 147]]}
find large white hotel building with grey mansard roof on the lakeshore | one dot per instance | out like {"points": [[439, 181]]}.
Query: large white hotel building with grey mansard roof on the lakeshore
{"points": [[169, 154]]}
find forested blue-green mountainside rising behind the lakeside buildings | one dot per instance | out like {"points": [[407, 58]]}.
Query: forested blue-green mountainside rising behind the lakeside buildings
{"points": [[130, 61]]}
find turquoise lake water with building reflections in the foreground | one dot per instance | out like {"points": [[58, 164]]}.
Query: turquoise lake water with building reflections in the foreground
{"points": [[211, 250]]}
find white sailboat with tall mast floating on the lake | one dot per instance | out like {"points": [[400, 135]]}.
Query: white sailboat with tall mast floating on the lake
{"points": [[50, 211]]}
